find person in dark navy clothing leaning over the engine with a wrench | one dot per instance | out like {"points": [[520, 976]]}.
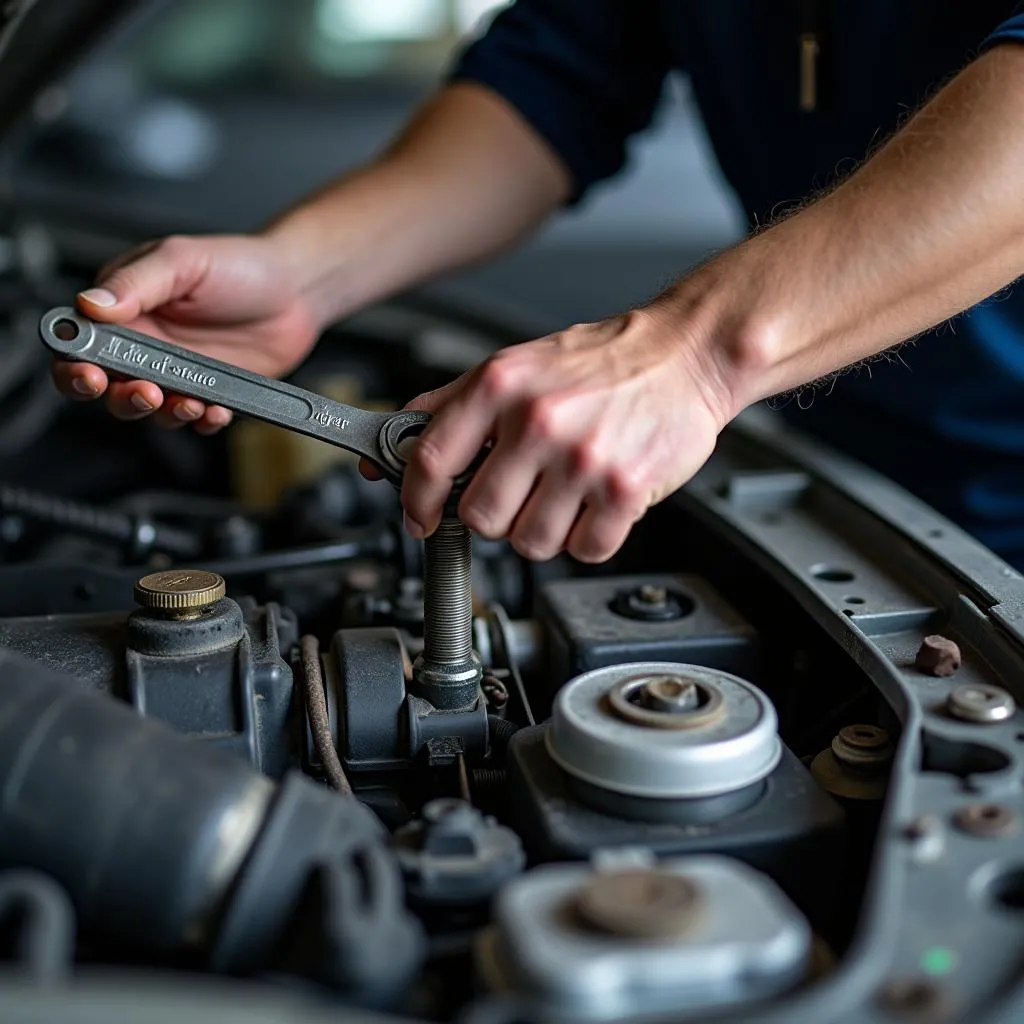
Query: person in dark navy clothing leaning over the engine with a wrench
{"points": [[594, 424]]}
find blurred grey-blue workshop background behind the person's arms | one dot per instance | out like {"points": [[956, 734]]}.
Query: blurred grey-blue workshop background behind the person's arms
{"points": [[214, 115]]}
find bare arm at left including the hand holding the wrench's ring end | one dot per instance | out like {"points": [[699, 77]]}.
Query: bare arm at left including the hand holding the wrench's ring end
{"points": [[465, 180]]}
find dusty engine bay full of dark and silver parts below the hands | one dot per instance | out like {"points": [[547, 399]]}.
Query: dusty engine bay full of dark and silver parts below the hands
{"points": [[728, 776]]}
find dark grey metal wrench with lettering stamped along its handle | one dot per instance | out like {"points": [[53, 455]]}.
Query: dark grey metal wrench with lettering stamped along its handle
{"points": [[381, 438]]}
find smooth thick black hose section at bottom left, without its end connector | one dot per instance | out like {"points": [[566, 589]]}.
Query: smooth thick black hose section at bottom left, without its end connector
{"points": [[144, 828]]}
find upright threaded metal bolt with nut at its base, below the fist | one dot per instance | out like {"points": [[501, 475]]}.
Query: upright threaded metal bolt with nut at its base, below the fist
{"points": [[448, 673]]}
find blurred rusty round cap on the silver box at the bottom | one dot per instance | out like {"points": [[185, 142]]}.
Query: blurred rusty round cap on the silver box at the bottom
{"points": [[641, 904]]}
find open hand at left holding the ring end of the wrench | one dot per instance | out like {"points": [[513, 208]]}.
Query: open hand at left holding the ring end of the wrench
{"points": [[227, 296]]}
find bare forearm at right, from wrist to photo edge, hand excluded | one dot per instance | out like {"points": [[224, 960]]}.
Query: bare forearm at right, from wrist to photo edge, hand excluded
{"points": [[930, 226]]}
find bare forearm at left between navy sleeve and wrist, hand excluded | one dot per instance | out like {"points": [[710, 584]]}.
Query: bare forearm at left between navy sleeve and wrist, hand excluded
{"points": [[465, 180]]}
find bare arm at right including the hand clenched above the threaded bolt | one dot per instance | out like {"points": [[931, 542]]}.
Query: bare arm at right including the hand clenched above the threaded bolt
{"points": [[593, 425]]}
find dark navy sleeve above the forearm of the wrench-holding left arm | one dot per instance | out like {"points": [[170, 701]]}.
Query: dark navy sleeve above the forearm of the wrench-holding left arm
{"points": [[585, 74]]}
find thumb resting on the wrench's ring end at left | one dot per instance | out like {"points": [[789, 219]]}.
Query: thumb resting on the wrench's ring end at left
{"points": [[167, 272]]}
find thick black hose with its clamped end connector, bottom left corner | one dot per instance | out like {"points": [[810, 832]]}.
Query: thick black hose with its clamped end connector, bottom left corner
{"points": [[166, 844]]}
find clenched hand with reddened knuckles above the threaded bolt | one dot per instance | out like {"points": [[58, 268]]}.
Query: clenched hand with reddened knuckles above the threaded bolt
{"points": [[589, 429]]}
